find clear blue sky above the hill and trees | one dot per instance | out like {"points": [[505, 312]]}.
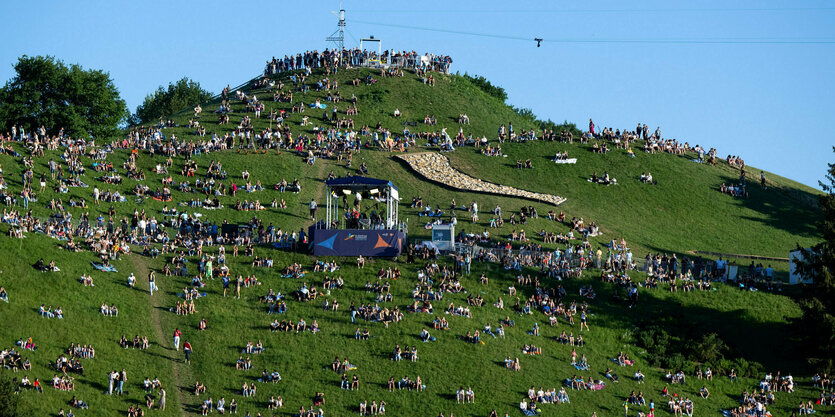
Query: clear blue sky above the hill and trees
{"points": [[770, 103]]}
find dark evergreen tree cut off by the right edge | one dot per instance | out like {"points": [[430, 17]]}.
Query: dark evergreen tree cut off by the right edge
{"points": [[819, 309]]}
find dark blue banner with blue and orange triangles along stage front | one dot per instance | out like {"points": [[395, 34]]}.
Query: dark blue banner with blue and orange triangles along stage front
{"points": [[350, 242]]}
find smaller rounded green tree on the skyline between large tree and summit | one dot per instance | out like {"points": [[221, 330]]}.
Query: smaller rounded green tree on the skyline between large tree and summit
{"points": [[182, 94]]}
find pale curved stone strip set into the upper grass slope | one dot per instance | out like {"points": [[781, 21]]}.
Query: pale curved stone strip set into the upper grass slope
{"points": [[435, 167]]}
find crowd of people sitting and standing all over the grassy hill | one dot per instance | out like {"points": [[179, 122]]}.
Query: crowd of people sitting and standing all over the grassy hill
{"points": [[183, 237]]}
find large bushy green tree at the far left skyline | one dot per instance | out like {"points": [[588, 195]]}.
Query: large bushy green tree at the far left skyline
{"points": [[46, 92]]}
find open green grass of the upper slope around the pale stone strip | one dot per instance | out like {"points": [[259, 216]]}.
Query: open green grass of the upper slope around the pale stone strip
{"points": [[684, 212]]}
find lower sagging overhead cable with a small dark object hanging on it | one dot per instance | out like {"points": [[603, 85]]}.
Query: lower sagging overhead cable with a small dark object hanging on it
{"points": [[729, 41]]}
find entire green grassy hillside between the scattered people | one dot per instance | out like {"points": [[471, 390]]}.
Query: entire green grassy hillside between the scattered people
{"points": [[684, 212]]}
